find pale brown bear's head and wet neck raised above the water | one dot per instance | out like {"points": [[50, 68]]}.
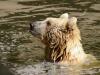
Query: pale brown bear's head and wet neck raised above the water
{"points": [[62, 39]]}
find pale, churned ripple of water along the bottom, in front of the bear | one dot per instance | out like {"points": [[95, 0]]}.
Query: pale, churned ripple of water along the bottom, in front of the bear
{"points": [[46, 68]]}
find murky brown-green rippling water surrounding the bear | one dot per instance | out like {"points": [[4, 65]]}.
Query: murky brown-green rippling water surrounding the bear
{"points": [[23, 54]]}
